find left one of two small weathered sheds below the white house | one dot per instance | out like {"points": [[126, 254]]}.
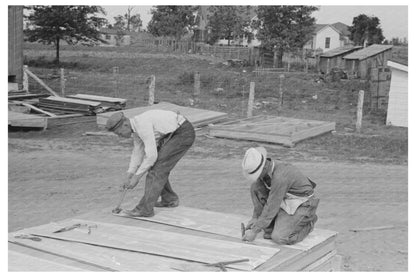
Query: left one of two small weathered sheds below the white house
{"points": [[334, 58]]}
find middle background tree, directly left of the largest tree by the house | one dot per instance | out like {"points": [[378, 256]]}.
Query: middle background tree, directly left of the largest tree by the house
{"points": [[228, 22]]}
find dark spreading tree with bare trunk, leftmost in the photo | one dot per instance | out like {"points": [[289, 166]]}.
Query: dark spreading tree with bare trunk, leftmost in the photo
{"points": [[73, 24]]}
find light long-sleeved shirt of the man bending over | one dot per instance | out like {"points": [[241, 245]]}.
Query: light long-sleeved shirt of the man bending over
{"points": [[148, 128]]}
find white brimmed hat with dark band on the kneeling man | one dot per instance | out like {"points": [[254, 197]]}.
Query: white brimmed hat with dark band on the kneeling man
{"points": [[253, 163]]}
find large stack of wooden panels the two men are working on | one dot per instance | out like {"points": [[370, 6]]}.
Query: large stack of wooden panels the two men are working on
{"points": [[180, 239]]}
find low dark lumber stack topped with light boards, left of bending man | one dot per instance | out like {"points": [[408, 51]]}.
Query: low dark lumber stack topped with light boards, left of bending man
{"points": [[68, 105]]}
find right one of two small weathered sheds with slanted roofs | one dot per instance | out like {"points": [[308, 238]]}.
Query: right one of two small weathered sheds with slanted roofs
{"points": [[361, 61]]}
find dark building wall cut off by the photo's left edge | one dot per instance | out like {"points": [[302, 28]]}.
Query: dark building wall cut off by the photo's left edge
{"points": [[15, 56]]}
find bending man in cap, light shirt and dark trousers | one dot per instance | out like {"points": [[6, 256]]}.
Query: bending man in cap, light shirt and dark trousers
{"points": [[161, 138]]}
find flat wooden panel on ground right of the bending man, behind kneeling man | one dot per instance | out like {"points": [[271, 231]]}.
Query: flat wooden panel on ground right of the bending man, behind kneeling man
{"points": [[280, 130]]}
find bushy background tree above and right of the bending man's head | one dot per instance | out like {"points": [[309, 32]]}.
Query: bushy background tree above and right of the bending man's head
{"points": [[172, 20]]}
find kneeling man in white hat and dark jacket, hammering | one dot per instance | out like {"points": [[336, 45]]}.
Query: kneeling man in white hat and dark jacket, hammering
{"points": [[283, 198]]}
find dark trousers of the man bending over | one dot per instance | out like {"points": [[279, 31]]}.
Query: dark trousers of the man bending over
{"points": [[170, 151]]}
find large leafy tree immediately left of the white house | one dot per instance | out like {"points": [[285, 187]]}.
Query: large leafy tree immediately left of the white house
{"points": [[281, 28]]}
